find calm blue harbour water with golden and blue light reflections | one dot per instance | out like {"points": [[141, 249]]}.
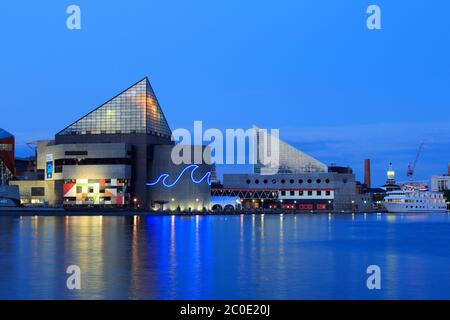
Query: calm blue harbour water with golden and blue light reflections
{"points": [[226, 257]]}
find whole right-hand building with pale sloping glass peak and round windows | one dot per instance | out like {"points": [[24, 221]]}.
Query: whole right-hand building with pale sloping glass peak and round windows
{"points": [[298, 183]]}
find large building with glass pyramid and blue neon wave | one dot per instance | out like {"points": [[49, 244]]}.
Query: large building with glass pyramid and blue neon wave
{"points": [[108, 157]]}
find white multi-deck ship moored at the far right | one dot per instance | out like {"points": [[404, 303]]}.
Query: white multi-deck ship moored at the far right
{"points": [[412, 199]]}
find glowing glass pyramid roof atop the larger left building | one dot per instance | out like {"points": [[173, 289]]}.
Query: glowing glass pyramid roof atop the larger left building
{"points": [[135, 110]]}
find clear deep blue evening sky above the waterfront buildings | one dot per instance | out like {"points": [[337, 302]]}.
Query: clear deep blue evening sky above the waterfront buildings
{"points": [[310, 68]]}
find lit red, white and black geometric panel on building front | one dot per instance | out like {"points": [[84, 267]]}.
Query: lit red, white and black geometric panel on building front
{"points": [[96, 192]]}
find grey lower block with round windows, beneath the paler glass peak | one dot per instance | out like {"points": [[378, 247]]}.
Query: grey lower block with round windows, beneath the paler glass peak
{"points": [[325, 191]]}
